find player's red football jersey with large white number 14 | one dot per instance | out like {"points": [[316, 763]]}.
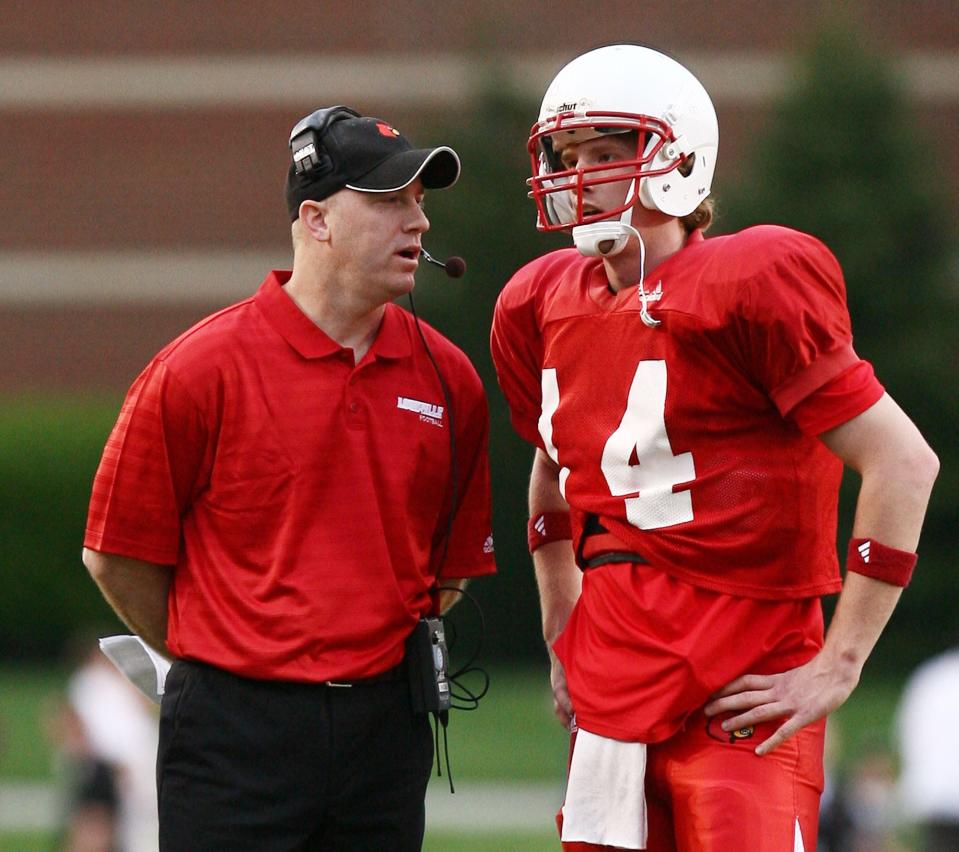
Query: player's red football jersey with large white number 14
{"points": [[694, 441]]}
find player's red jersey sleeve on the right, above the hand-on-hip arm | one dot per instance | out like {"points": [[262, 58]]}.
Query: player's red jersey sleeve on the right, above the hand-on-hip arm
{"points": [[799, 336]]}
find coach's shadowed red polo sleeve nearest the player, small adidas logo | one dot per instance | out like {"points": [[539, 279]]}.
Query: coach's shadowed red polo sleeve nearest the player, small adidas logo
{"points": [[471, 542]]}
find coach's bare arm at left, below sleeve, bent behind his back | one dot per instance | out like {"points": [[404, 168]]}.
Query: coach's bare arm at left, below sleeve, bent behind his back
{"points": [[136, 590]]}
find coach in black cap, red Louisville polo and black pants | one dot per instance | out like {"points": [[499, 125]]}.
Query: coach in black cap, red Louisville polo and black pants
{"points": [[278, 504]]}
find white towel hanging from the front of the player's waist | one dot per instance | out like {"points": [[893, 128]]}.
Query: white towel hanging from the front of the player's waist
{"points": [[605, 799]]}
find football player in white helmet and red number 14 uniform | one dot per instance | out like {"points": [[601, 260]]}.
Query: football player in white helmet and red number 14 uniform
{"points": [[692, 403]]}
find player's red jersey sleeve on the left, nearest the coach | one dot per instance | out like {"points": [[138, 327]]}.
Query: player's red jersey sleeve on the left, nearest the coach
{"points": [[516, 345]]}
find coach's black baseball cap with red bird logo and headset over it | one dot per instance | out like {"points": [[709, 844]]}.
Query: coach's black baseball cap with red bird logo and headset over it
{"points": [[337, 148]]}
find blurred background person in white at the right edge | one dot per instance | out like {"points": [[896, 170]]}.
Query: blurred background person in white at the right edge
{"points": [[928, 740]]}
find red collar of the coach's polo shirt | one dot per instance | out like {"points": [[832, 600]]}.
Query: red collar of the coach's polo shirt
{"points": [[310, 341]]}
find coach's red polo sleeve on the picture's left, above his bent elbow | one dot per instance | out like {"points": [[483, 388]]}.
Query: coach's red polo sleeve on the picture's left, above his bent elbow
{"points": [[152, 467]]}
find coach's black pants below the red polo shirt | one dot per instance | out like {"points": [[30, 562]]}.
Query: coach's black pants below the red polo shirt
{"points": [[269, 766]]}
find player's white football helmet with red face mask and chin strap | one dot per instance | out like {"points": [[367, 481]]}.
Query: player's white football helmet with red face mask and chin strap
{"points": [[620, 89]]}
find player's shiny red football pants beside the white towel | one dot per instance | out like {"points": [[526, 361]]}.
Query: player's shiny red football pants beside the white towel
{"points": [[706, 791]]}
